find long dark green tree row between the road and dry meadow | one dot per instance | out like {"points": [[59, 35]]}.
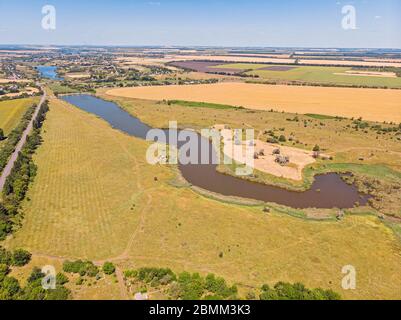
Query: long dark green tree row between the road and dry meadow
{"points": [[22, 174]]}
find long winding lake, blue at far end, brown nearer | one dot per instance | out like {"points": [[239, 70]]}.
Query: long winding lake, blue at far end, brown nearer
{"points": [[327, 191]]}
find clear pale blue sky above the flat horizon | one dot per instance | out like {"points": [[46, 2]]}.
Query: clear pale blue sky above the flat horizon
{"points": [[303, 23]]}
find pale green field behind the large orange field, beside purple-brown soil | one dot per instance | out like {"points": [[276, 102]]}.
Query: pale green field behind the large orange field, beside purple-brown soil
{"points": [[315, 75]]}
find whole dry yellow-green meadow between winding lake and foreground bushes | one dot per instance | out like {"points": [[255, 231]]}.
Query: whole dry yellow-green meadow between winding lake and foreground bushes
{"points": [[105, 204]]}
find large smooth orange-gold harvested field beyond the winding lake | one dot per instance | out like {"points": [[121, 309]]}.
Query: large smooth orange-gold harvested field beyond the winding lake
{"points": [[370, 104]]}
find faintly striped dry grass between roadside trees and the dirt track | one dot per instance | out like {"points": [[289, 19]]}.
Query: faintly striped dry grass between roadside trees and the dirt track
{"points": [[87, 183]]}
